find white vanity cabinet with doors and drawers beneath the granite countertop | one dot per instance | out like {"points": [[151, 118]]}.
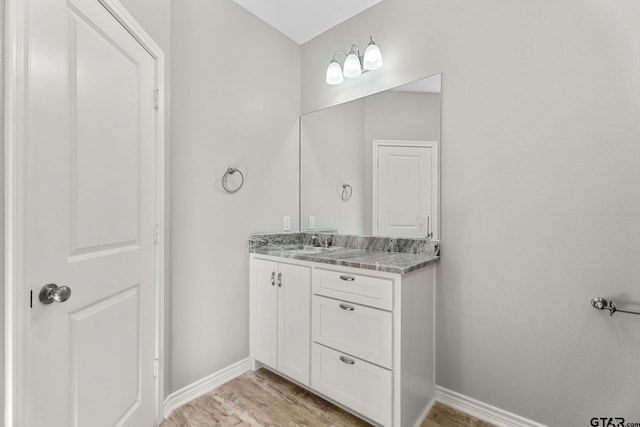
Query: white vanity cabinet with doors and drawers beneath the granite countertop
{"points": [[370, 337]]}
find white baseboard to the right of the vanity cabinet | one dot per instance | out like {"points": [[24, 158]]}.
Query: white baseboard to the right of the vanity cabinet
{"points": [[483, 411]]}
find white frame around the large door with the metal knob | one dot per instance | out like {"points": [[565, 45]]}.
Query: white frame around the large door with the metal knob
{"points": [[17, 296]]}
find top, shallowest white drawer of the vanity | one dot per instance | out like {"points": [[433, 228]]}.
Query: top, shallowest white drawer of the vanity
{"points": [[371, 291]]}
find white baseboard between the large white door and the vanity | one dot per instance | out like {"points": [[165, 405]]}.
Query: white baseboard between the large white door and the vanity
{"points": [[203, 386]]}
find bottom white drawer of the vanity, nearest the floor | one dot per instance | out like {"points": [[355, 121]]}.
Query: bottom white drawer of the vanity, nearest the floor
{"points": [[360, 386]]}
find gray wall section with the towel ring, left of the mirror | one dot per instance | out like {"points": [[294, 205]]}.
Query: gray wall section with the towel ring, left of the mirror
{"points": [[236, 102]]}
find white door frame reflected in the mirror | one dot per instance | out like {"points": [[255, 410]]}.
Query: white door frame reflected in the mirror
{"points": [[435, 173]]}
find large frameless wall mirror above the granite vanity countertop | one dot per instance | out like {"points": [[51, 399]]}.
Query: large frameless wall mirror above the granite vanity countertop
{"points": [[371, 166]]}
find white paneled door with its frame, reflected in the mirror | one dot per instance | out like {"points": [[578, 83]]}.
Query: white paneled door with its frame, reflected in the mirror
{"points": [[405, 188]]}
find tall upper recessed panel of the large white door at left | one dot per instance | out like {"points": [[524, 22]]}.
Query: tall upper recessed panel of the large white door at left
{"points": [[102, 144]]}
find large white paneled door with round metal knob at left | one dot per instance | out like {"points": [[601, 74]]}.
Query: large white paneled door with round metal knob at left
{"points": [[90, 193]]}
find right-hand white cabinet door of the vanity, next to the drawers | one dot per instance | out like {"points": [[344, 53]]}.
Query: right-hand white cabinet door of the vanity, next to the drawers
{"points": [[294, 302]]}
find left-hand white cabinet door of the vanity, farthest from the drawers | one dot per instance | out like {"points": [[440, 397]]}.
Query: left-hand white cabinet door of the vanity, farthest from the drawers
{"points": [[264, 321]]}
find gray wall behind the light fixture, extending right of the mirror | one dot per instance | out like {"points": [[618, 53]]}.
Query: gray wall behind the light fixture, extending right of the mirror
{"points": [[540, 195]]}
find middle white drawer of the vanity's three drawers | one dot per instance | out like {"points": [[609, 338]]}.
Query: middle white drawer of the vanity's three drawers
{"points": [[354, 329]]}
